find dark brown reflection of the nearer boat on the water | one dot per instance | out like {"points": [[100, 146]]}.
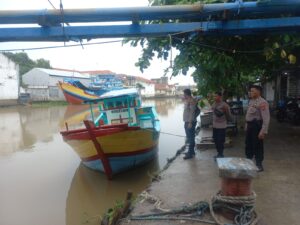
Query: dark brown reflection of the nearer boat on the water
{"points": [[91, 194]]}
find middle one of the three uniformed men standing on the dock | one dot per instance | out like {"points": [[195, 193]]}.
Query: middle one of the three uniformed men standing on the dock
{"points": [[221, 115]]}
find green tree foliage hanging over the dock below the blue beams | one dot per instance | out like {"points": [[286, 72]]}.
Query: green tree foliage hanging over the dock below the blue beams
{"points": [[226, 63]]}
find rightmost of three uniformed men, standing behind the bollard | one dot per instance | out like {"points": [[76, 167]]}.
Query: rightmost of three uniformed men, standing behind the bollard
{"points": [[257, 123]]}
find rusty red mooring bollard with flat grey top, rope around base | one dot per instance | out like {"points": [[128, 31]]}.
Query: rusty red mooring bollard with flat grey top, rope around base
{"points": [[236, 189]]}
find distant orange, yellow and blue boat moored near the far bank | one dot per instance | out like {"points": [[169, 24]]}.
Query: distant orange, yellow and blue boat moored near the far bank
{"points": [[77, 93]]}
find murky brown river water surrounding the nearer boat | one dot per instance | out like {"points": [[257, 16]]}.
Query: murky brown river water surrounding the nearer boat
{"points": [[41, 179]]}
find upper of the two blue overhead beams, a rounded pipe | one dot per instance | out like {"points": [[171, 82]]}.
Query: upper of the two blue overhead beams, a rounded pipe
{"points": [[238, 9]]}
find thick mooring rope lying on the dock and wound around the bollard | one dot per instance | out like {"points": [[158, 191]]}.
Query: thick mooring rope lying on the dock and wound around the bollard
{"points": [[242, 205]]}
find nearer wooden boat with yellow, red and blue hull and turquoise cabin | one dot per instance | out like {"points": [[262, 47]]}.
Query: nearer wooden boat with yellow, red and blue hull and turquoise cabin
{"points": [[123, 135]]}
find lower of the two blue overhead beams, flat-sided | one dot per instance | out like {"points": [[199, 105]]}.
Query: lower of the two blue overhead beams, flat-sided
{"points": [[75, 33]]}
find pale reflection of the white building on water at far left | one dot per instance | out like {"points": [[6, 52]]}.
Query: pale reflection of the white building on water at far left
{"points": [[22, 127]]}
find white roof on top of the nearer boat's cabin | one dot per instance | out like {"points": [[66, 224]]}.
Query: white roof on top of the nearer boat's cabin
{"points": [[126, 92]]}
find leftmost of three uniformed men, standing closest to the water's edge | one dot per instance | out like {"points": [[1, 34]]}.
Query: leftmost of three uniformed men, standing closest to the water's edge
{"points": [[190, 121]]}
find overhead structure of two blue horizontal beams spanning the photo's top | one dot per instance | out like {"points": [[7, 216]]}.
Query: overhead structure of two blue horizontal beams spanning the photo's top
{"points": [[233, 18]]}
